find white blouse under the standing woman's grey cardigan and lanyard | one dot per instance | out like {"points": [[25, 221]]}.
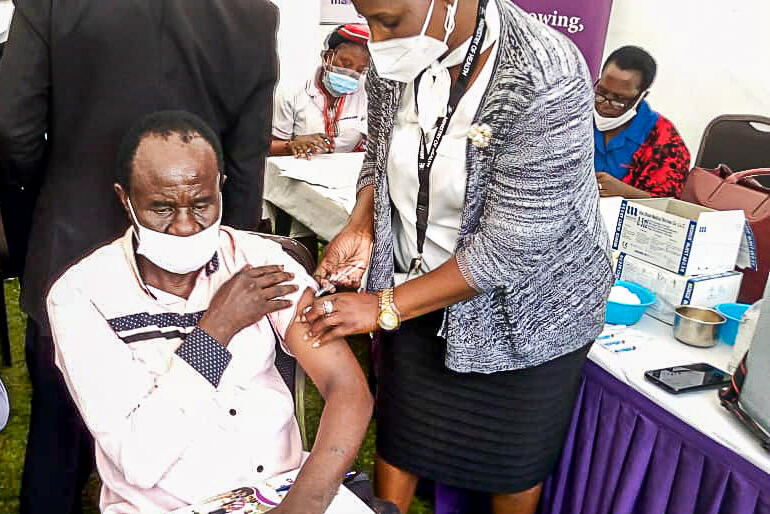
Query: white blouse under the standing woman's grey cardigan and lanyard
{"points": [[448, 176]]}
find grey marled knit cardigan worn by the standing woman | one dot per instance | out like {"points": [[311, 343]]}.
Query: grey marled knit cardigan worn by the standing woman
{"points": [[531, 239]]}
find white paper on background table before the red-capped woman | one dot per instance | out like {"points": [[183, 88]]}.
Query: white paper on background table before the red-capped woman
{"points": [[334, 171]]}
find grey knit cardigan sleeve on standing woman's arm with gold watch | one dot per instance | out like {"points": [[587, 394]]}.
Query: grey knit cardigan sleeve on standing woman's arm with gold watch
{"points": [[541, 179]]}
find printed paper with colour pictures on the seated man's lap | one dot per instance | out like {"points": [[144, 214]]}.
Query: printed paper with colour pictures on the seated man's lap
{"points": [[265, 496]]}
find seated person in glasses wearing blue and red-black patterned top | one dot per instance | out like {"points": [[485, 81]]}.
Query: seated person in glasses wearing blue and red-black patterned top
{"points": [[638, 152]]}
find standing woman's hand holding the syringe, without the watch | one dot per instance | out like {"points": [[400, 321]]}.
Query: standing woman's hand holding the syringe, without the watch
{"points": [[345, 259]]}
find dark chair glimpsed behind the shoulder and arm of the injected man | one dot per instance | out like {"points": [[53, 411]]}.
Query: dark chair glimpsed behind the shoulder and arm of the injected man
{"points": [[290, 370]]}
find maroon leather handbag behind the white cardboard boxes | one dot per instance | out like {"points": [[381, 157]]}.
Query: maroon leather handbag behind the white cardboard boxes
{"points": [[722, 189]]}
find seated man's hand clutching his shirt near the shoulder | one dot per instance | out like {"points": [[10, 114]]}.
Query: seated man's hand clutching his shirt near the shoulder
{"points": [[245, 299]]}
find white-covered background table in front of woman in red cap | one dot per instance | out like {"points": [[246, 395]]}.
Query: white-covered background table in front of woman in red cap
{"points": [[319, 193]]}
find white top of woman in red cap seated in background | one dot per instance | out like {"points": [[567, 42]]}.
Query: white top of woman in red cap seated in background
{"points": [[301, 113]]}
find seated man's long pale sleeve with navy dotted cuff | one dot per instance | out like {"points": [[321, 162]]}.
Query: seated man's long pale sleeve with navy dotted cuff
{"points": [[143, 420]]}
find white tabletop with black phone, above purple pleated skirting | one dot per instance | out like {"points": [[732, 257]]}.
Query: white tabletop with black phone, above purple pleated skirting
{"points": [[656, 348]]}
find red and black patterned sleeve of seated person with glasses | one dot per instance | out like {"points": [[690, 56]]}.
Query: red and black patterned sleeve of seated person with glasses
{"points": [[661, 164]]}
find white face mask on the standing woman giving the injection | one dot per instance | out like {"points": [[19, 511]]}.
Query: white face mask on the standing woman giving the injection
{"points": [[402, 59]]}
